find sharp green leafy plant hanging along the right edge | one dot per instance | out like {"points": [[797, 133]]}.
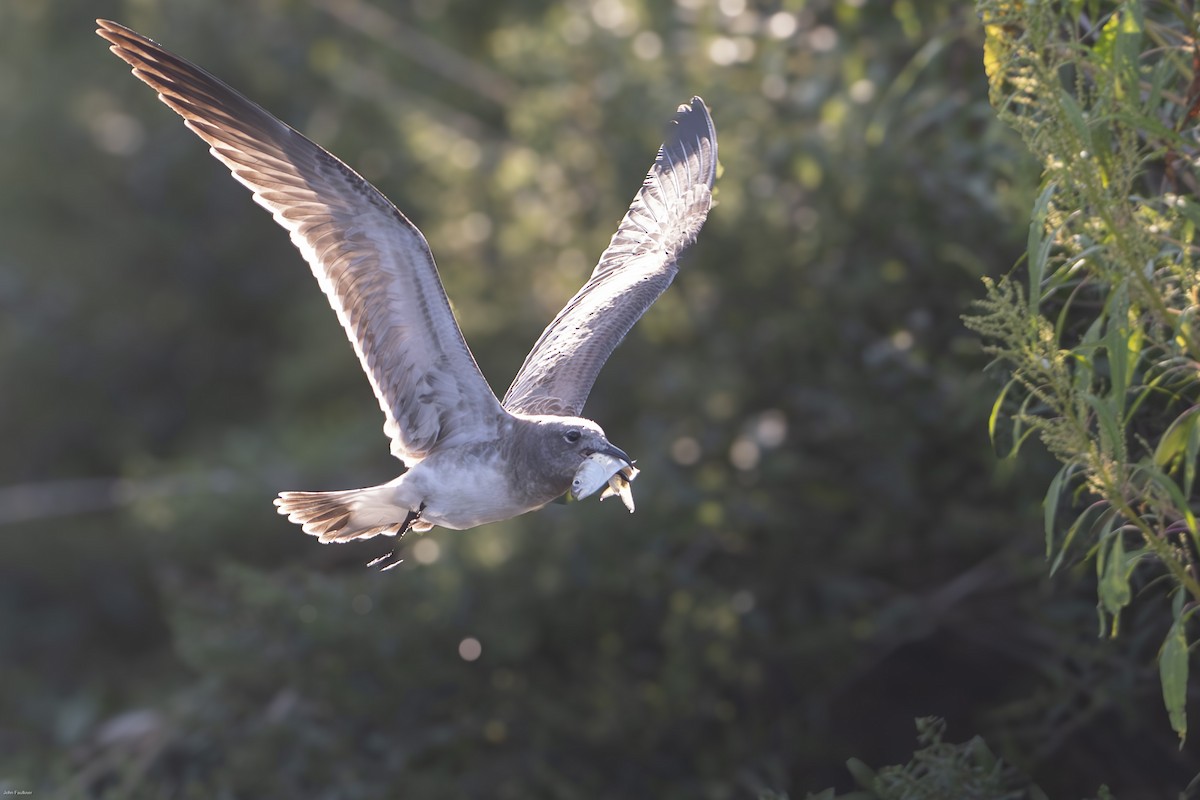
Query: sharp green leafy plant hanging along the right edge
{"points": [[1099, 338]]}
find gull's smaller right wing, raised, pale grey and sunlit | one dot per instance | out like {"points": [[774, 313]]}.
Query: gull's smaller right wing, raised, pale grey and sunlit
{"points": [[638, 267]]}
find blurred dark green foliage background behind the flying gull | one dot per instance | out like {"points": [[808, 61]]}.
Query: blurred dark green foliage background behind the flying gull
{"points": [[826, 546]]}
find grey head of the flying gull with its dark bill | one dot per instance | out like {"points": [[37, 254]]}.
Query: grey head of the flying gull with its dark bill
{"points": [[554, 448]]}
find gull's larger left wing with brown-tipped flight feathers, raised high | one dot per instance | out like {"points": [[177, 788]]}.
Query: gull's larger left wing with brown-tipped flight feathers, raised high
{"points": [[371, 262]]}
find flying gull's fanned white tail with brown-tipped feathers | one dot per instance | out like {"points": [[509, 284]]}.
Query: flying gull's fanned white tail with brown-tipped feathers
{"points": [[350, 515]]}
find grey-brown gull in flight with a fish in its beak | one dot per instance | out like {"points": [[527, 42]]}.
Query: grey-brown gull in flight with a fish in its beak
{"points": [[470, 458]]}
